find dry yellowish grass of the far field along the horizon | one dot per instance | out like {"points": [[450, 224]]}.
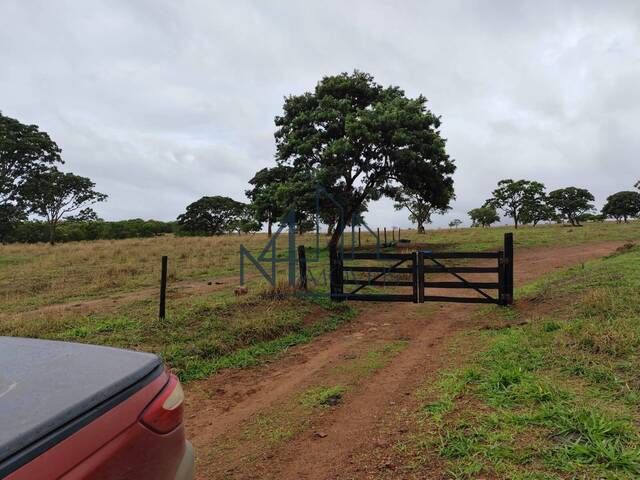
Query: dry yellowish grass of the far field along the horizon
{"points": [[35, 275]]}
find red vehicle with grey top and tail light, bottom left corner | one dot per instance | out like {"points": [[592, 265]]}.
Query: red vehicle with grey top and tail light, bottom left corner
{"points": [[74, 411]]}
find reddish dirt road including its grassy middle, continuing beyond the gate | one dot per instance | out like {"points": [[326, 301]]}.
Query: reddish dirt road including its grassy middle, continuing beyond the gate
{"points": [[227, 411]]}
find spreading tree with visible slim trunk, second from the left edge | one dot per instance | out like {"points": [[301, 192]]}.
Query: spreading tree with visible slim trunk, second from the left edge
{"points": [[53, 194]]}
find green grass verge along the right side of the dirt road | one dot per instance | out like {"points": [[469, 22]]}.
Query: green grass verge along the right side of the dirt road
{"points": [[552, 390]]}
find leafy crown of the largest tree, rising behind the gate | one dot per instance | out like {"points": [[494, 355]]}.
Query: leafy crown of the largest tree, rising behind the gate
{"points": [[361, 138]]}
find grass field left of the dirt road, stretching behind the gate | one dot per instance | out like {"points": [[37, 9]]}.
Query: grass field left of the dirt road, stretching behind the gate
{"points": [[206, 329]]}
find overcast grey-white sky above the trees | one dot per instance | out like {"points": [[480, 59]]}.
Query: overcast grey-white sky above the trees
{"points": [[162, 102]]}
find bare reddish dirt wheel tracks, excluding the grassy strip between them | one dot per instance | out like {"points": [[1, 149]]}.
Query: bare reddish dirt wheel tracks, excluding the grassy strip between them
{"points": [[223, 402]]}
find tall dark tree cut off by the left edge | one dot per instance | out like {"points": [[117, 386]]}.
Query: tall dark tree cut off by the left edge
{"points": [[24, 151]]}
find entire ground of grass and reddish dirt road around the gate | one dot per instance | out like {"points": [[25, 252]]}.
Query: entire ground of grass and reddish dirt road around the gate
{"points": [[494, 379]]}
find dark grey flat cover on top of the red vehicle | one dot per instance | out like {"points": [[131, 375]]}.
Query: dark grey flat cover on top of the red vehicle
{"points": [[45, 385]]}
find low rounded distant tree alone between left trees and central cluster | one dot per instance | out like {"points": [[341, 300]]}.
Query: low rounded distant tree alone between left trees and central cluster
{"points": [[212, 216]]}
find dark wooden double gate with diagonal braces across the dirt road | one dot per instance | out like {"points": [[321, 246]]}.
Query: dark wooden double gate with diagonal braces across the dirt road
{"points": [[416, 268]]}
